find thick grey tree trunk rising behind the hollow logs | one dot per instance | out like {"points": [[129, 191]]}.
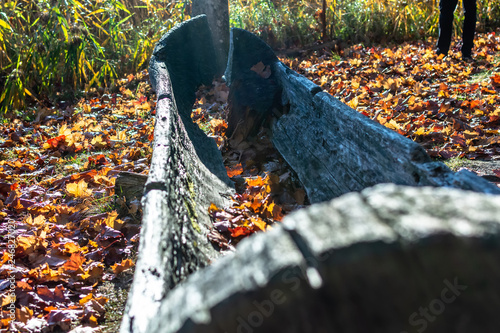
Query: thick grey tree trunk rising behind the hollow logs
{"points": [[217, 12]]}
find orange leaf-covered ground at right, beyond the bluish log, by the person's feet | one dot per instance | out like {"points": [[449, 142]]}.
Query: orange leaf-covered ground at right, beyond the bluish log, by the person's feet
{"points": [[449, 106]]}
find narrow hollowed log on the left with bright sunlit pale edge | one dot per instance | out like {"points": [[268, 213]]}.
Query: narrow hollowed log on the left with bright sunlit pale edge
{"points": [[186, 176]]}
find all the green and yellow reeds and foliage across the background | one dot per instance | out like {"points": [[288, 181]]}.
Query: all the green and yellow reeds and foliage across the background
{"points": [[52, 49]]}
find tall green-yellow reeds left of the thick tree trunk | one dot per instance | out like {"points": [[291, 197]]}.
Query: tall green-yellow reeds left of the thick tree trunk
{"points": [[50, 48]]}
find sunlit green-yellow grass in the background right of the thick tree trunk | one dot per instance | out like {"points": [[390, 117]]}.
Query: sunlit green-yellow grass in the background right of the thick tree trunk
{"points": [[287, 23]]}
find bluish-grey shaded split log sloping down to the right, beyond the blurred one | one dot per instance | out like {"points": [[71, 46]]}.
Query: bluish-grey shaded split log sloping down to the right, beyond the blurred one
{"points": [[332, 148]]}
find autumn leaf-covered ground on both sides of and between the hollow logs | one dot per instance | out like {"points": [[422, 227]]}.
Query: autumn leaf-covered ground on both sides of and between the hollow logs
{"points": [[75, 243]]}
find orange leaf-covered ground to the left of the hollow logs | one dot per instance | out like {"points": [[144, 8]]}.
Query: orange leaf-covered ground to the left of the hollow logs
{"points": [[62, 234]]}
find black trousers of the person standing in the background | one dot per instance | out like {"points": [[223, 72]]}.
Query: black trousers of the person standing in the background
{"points": [[447, 8]]}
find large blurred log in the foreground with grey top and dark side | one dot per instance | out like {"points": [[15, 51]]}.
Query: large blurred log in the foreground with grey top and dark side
{"points": [[388, 259]]}
